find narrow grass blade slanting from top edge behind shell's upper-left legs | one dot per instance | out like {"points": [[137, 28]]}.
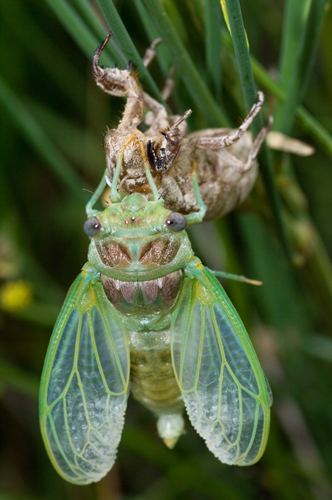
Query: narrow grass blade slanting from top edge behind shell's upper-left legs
{"points": [[118, 28]]}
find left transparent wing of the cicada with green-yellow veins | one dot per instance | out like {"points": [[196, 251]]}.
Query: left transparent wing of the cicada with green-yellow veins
{"points": [[83, 394]]}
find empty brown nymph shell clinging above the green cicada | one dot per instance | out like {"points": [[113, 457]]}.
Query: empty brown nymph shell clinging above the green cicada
{"points": [[226, 169]]}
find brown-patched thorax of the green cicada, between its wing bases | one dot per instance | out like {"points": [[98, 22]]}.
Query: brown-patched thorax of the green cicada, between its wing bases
{"points": [[144, 303]]}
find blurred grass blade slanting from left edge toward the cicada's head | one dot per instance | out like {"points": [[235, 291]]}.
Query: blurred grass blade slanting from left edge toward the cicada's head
{"points": [[40, 142]]}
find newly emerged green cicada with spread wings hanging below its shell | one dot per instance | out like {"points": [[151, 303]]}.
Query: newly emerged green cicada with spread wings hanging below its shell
{"points": [[146, 316]]}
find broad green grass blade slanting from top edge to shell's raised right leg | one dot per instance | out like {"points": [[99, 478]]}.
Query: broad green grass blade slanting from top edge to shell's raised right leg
{"points": [[195, 85]]}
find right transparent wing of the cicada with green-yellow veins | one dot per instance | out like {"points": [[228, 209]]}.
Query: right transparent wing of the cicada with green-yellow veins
{"points": [[223, 386]]}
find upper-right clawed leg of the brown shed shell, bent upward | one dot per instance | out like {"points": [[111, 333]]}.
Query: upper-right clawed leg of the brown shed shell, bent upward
{"points": [[227, 140]]}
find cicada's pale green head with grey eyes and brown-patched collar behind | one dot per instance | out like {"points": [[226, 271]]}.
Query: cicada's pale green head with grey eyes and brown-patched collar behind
{"points": [[138, 240]]}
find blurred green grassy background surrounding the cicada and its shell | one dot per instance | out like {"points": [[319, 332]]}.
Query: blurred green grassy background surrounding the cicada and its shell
{"points": [[53, 118]]}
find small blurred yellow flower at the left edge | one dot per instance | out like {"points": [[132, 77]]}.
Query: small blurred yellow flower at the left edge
{"points": [[15, 295]]}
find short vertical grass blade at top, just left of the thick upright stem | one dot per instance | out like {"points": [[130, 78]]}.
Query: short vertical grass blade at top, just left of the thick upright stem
{"points": [[213, 43]]}
